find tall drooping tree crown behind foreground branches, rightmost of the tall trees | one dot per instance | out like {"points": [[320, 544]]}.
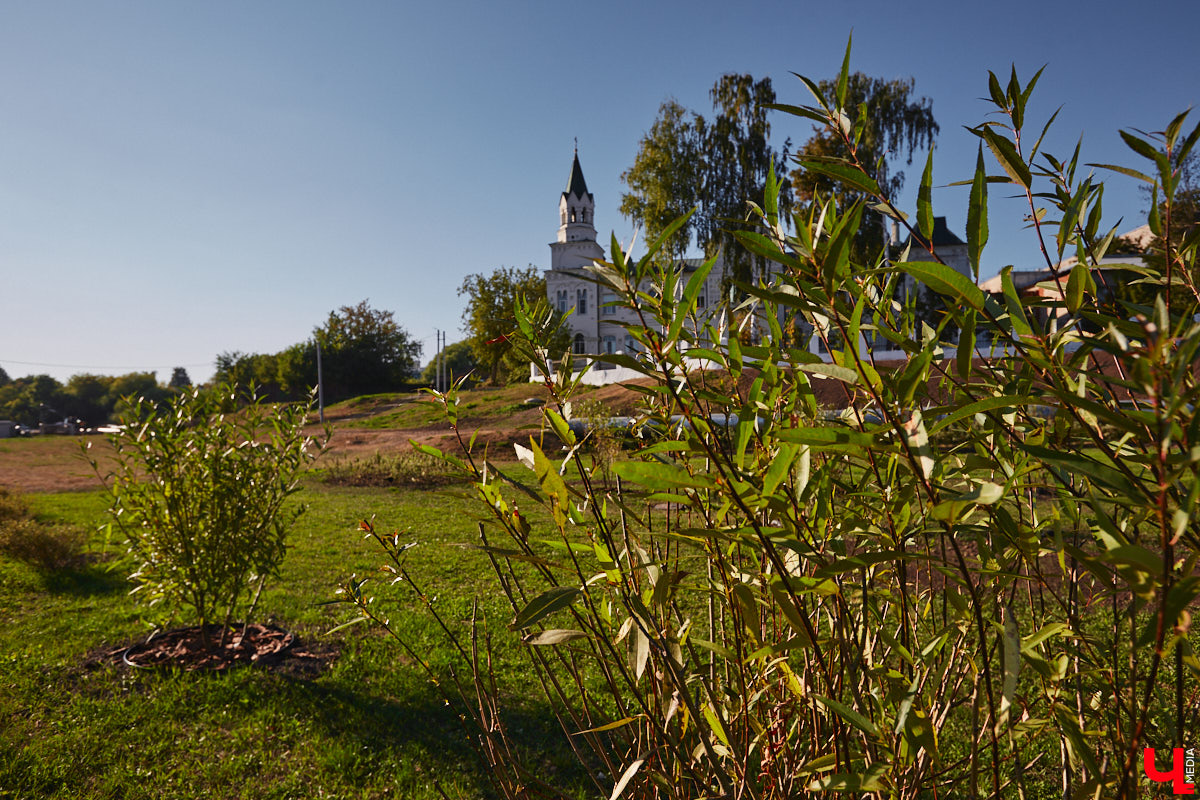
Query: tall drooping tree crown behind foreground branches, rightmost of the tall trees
{"points": [[886, 124]]}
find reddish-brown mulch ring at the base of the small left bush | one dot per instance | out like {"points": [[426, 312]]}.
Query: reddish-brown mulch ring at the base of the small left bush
{"points": [[260, 646]]}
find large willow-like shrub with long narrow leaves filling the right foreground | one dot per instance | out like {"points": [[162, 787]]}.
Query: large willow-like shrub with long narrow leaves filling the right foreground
{"points": [[946, 591]]}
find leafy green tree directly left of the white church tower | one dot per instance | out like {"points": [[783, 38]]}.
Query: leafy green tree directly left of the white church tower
{"points": [[490, 318]]}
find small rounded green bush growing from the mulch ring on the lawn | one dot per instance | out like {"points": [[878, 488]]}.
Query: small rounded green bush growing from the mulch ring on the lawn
{"points": [[199, 491]]}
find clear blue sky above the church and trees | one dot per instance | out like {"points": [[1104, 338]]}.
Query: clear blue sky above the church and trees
{"points": [[183, 179]]}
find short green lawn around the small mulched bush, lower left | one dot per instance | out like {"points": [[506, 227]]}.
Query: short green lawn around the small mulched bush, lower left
{"points": [[370, 727]]}
